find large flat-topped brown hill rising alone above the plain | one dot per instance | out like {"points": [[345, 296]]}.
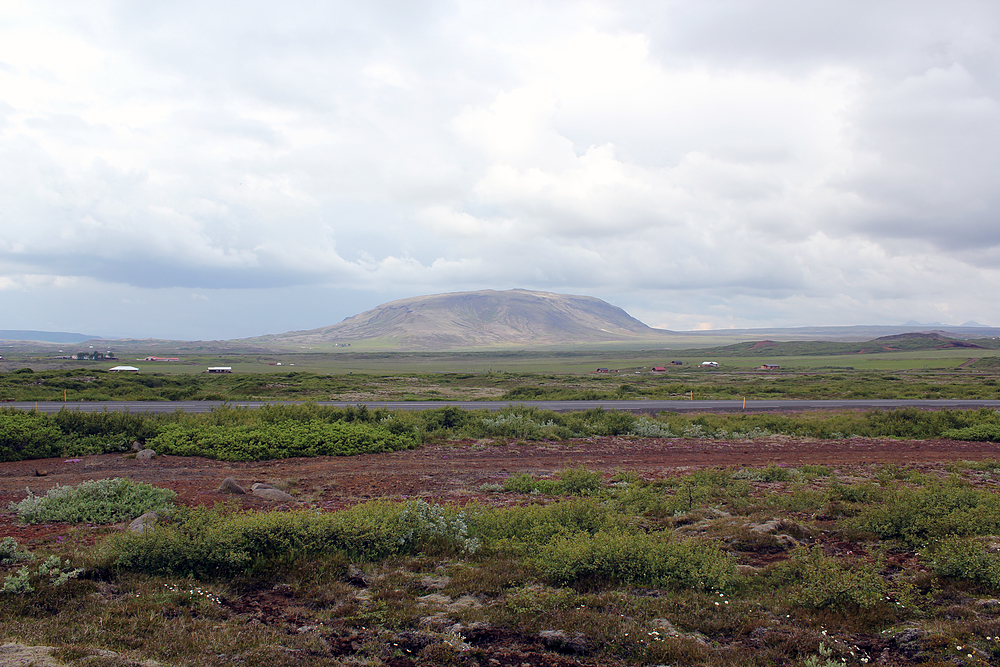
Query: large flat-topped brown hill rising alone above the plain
{"points": [[485, 318]]}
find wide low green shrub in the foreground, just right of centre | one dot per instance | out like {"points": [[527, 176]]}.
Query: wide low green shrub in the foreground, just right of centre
{"points": [[617, 557]]}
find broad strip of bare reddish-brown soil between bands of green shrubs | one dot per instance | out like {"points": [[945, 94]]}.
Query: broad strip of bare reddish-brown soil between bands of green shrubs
{"points": [[452, 472]]}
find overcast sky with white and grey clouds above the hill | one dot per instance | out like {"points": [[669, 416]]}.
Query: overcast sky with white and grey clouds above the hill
{"points": [[211, 169]]}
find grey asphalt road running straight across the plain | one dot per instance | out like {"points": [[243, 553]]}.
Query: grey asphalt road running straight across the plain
{"points": [[558, 406]]}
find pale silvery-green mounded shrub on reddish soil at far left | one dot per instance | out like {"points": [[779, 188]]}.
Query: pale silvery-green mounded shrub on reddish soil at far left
{"points": [[103, 501]]}
